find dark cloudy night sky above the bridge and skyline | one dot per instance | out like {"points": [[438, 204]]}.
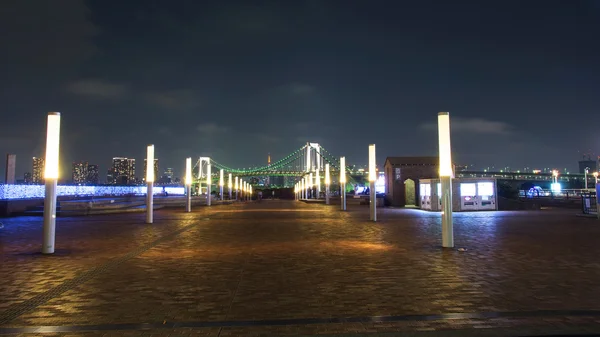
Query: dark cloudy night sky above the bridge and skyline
{"points": [[236, 80]]}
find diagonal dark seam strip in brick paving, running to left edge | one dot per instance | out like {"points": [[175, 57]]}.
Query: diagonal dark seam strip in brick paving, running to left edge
{"points": [[18, 309]]}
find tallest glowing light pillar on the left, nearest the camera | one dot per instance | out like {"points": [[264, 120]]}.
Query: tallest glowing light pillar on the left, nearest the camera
{"points": [[51, 177]]}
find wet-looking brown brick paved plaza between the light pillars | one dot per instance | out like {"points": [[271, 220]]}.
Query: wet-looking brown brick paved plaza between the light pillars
{"points": [[285, 267]]}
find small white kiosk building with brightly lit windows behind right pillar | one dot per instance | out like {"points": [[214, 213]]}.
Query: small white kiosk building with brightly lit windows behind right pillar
{"points": [[468, 194]]}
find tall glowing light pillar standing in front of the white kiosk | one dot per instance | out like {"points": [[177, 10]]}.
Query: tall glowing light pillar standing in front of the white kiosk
{"points": [[445, 153]]}
